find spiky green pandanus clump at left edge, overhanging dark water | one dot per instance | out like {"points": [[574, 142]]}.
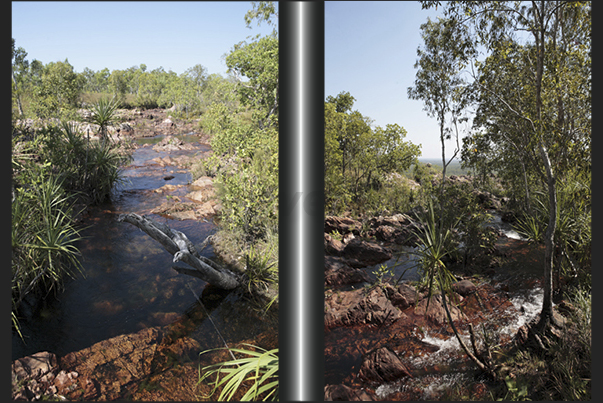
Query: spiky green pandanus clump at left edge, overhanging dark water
{"points": [[43, 235]]}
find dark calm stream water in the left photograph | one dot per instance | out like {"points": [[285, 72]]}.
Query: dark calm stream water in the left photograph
{"points": [[127, 282]]}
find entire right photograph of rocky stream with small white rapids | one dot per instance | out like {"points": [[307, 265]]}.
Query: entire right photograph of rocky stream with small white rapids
{"points": [[457, 200]]}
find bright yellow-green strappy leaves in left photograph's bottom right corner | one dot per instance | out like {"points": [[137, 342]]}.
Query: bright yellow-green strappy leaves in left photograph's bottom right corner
{"points": [[258, 371]]}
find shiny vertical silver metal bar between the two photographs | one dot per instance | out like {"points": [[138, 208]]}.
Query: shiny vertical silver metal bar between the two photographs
{"points": [[301, 201]]}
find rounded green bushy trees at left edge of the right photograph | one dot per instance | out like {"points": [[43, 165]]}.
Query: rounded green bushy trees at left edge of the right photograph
{"points": [[359, 159]]}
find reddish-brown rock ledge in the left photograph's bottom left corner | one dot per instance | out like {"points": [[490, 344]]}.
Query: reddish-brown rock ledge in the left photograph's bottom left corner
{"points": [[108, 370]]}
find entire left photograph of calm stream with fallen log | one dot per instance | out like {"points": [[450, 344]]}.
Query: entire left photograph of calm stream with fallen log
{"points": [[144, 200]]}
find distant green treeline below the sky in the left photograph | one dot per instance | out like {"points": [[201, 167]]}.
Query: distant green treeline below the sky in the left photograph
{"points": [[56, 90]]}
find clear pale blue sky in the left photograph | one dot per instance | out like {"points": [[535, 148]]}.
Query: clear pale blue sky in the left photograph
{"points": [[119, 35]]}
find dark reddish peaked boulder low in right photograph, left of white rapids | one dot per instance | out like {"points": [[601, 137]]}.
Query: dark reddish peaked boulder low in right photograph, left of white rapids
{"points": [[382, 365]]}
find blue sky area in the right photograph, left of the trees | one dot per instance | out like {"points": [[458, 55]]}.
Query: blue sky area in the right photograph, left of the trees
{"points": [[370, 51]]}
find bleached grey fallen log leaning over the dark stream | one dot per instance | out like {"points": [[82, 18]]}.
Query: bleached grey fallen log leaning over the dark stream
{"points": [[183, 250]]}
